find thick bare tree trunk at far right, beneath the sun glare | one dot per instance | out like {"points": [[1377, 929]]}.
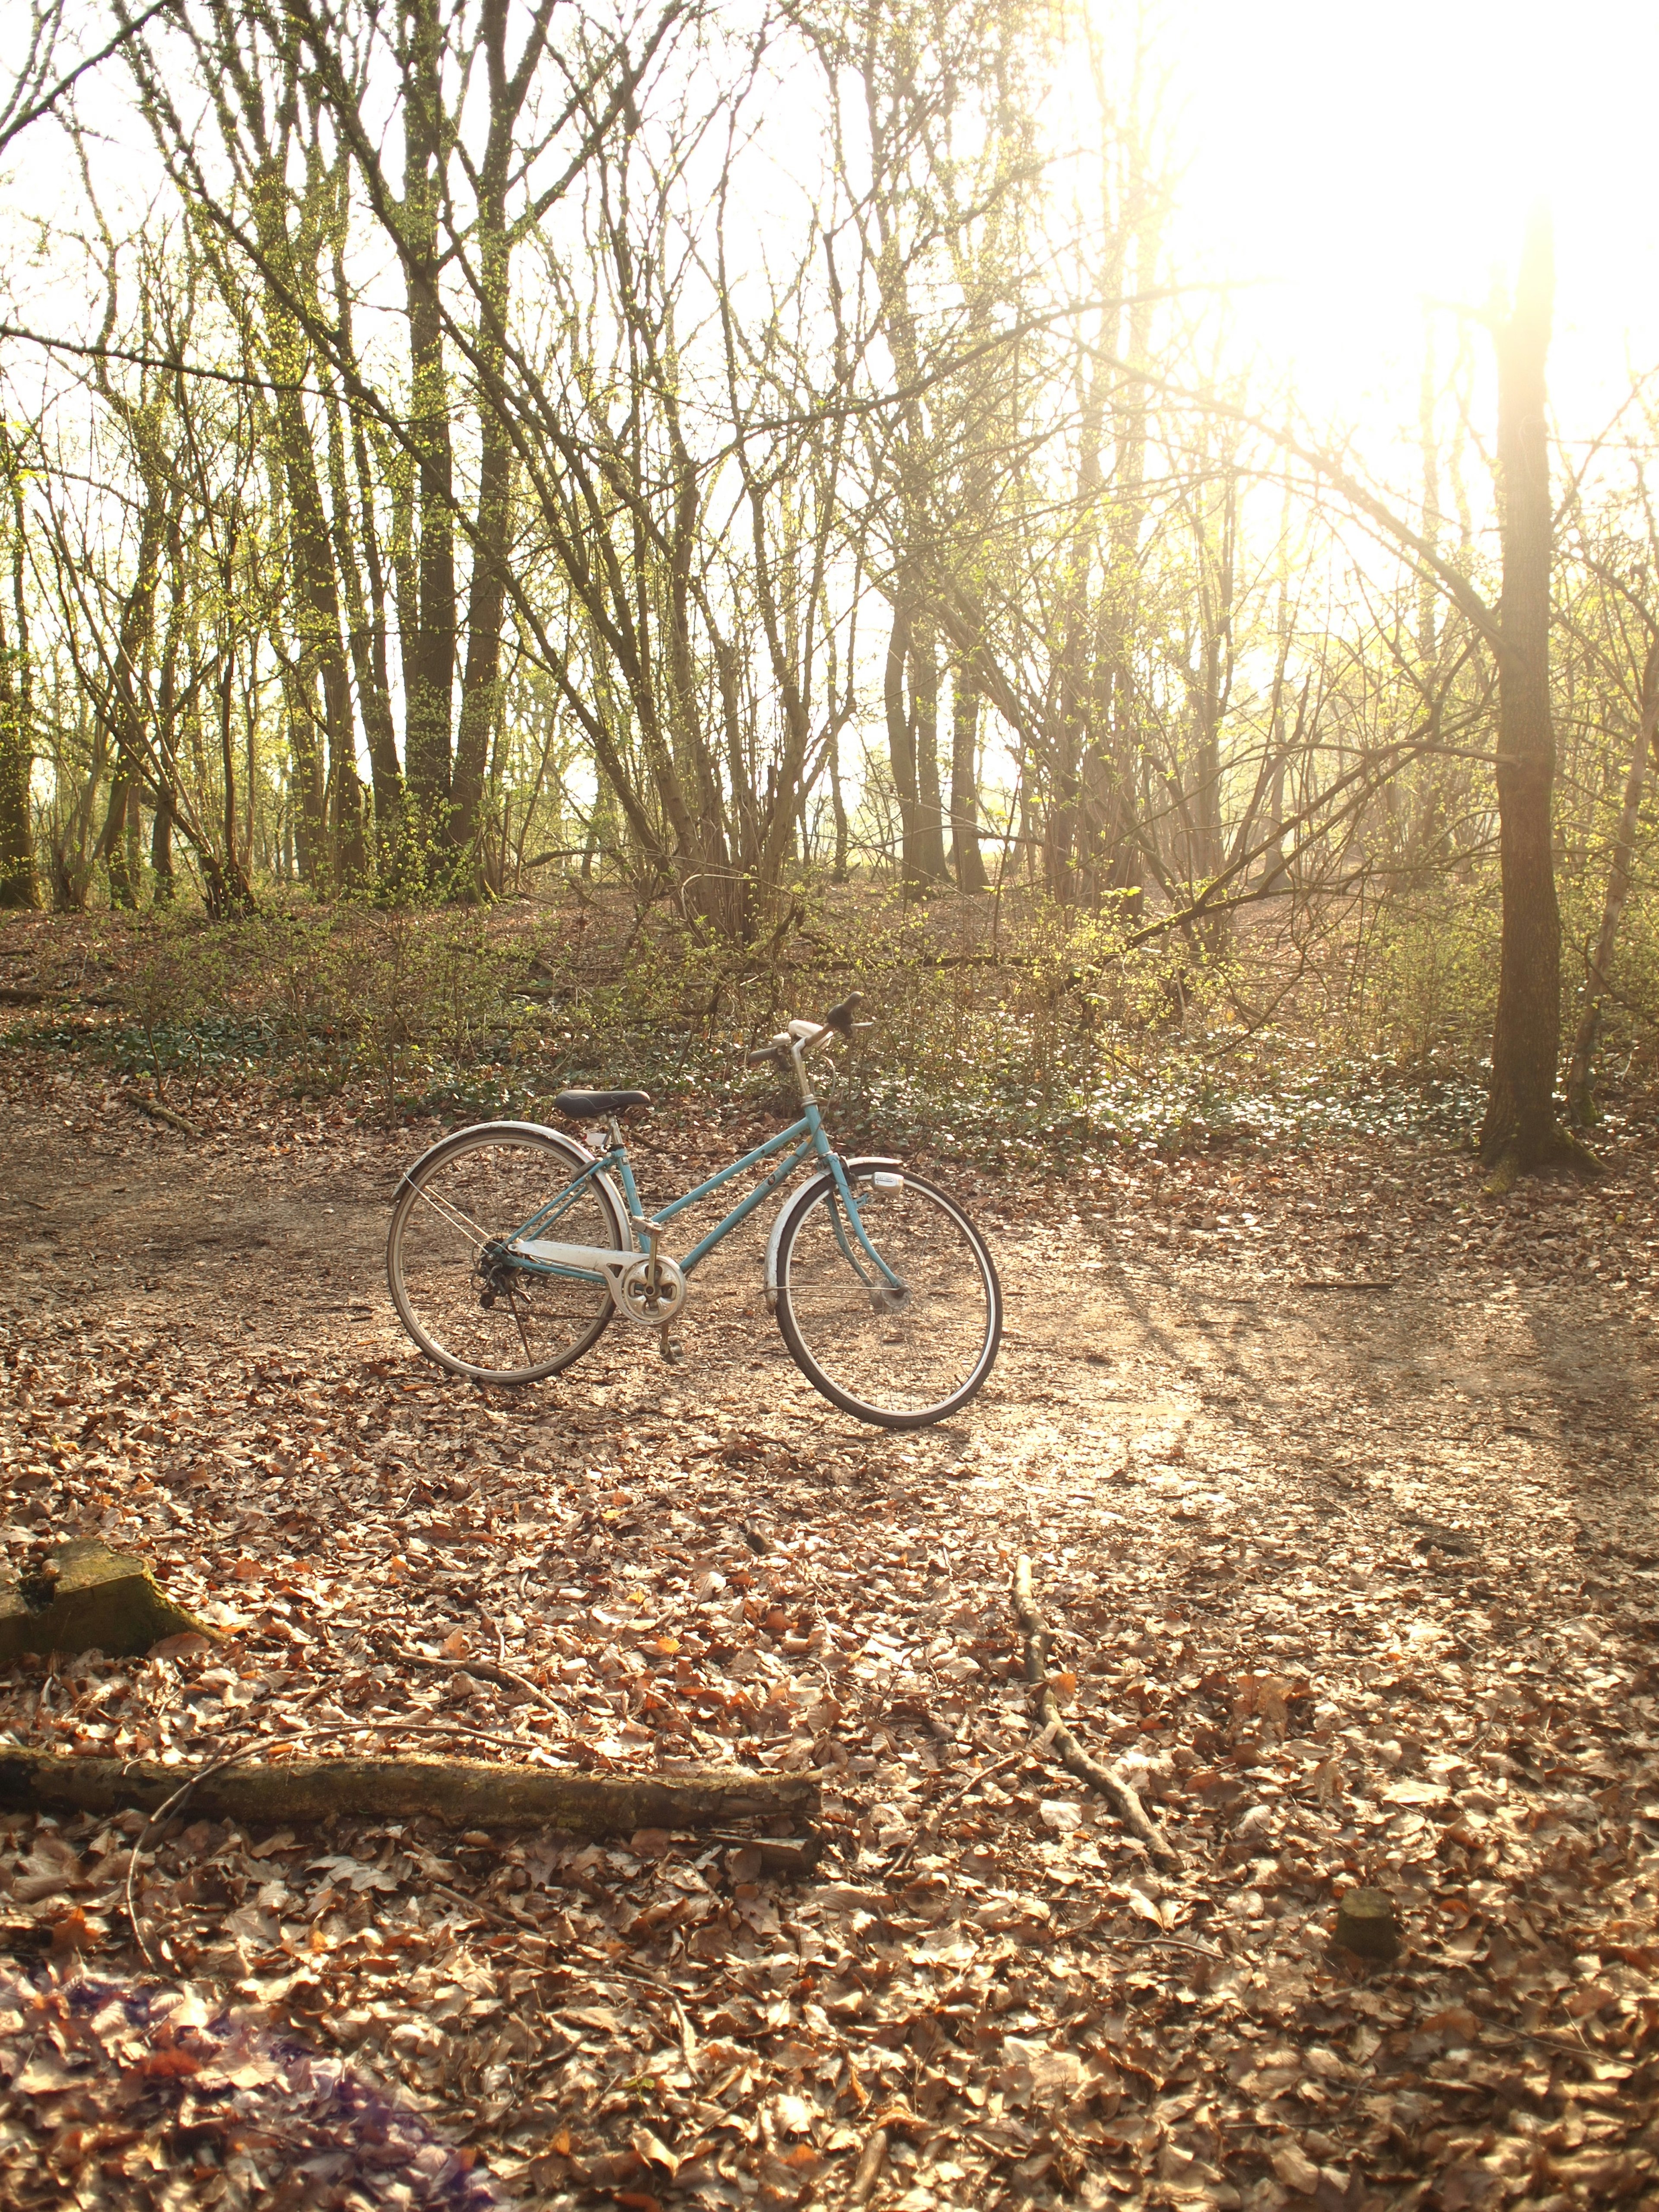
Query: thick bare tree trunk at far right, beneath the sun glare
{"points": [[1521, 1129]]}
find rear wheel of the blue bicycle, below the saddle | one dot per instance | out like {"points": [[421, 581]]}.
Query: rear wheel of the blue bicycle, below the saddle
{"points": [[450, 1280]]}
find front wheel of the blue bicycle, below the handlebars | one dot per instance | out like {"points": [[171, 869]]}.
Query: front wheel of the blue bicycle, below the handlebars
{"points": [[899, 1355]]}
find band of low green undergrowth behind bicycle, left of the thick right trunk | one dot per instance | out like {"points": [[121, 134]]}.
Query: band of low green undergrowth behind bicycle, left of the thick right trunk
{"points": [[1016, 1039]]}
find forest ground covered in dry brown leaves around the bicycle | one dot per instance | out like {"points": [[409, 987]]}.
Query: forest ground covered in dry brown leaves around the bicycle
{"points": [[1339, 1488]]}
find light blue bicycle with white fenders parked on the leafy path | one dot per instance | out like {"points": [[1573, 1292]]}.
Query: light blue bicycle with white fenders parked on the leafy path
{"points": [[514, 1246]]}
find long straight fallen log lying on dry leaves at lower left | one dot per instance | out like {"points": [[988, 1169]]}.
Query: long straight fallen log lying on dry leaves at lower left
{"points": [[466, 1793]]}
